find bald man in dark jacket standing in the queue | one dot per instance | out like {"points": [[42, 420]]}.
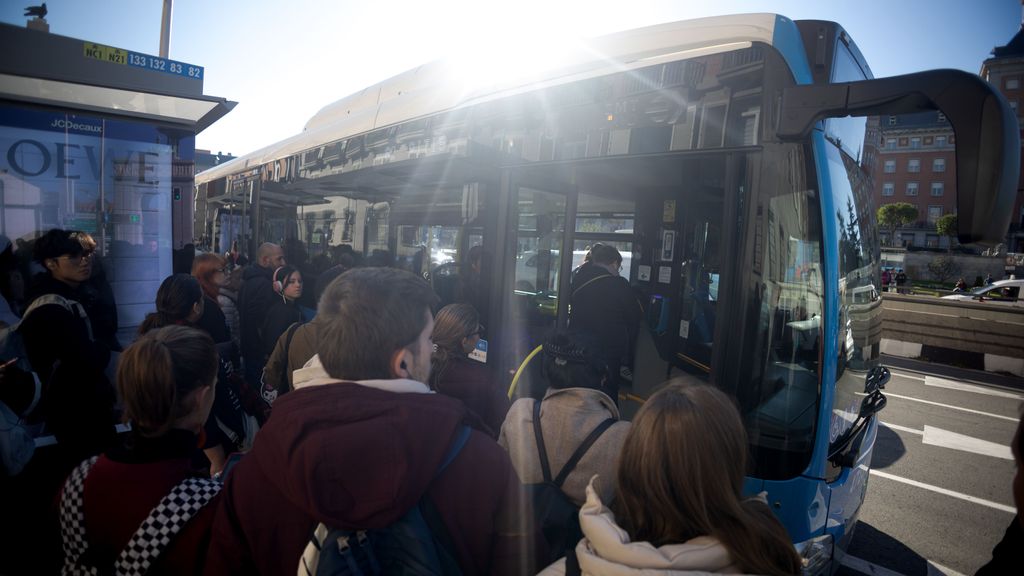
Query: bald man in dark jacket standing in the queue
{"points": [[255, 299]]}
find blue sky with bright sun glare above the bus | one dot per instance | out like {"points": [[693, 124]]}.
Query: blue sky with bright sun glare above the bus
{"points": [[283, 61]]}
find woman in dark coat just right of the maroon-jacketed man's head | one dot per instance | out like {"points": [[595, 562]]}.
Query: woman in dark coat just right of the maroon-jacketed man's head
{"points": [[457, 331]]}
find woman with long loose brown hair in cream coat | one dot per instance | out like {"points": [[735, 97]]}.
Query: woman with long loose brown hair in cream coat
{"points": [[679, 504]]}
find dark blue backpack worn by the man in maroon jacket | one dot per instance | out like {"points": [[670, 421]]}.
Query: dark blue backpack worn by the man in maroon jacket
{"points": [[418, 544]]}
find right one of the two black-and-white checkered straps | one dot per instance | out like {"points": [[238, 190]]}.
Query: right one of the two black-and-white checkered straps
{"points": [[170, 516]]}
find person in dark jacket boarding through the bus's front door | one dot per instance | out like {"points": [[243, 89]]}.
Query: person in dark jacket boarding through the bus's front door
{"points": [[603, 304]]}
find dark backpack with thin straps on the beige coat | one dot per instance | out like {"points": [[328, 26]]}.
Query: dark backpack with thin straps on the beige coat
{"points": [[558, 516]]}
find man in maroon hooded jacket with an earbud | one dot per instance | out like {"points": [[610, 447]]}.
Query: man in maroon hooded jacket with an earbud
{"points": [[360, 442]]}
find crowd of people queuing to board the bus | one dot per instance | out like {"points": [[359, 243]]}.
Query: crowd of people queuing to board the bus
{"points": [[262, 437]]}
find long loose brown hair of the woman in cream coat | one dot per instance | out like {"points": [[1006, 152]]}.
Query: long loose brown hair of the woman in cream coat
{"points": [[681, 476]]}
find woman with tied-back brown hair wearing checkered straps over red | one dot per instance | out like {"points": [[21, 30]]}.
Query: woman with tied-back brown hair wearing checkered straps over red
{"points": [[166, 381]]}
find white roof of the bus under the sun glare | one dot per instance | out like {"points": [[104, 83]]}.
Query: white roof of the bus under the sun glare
{"points": [[440, 87]]}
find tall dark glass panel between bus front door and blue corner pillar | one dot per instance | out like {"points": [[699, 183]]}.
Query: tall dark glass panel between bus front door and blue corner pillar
{"points": [[779, 385]]}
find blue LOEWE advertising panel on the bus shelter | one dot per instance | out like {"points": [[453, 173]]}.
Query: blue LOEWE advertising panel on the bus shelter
{"points": [[111, 179]]}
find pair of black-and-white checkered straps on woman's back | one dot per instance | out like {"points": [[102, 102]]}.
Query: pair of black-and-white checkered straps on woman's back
{"points": [[153, 537]]}
